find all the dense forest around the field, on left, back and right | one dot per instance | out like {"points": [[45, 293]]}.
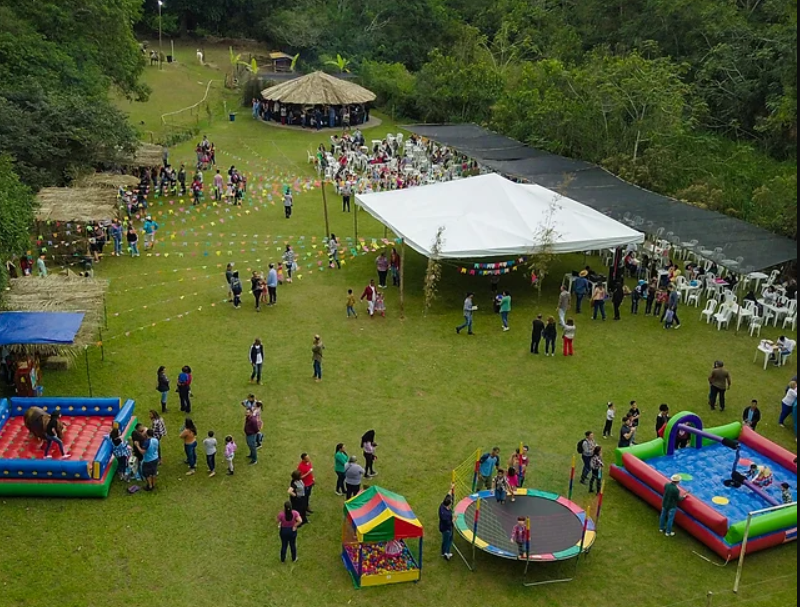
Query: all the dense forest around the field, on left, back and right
{"points": [[692, 98]]}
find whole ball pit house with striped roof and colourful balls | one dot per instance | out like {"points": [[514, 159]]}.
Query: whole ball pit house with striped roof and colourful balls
{"points": [[378, 525]]}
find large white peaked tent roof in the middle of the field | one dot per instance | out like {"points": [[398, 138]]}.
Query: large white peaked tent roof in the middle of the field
{"points": [[490, 216]]}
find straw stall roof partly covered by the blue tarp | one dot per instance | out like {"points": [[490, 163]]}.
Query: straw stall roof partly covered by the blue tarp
{"points": [[60, 293]]}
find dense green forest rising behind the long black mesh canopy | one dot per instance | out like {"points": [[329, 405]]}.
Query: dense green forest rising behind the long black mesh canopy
{"points": [[693, 98]]}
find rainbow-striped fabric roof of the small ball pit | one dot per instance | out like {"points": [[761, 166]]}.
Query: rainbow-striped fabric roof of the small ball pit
{"points": [[378, 515]]}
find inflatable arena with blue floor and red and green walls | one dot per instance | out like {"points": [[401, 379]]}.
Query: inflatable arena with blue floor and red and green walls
{"points": [[728, 472]]}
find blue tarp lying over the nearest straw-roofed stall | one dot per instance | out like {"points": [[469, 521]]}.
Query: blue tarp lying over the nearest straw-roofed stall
{"points": [[31, 331]]}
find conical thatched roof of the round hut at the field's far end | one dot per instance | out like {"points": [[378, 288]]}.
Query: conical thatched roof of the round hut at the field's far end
{"points": [[318, 88]]}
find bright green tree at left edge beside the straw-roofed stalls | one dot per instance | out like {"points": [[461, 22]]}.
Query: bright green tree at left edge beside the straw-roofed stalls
{"points": [[16, 216]]}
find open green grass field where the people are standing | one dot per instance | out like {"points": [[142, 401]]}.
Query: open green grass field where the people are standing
{"points": [[432, 396]]}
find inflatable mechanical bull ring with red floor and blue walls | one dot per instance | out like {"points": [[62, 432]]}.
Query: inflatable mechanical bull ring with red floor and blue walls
{"points": [[87, 422]]}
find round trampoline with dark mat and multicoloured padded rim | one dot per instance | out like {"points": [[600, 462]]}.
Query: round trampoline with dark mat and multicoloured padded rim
{"points": [[557, 525]]}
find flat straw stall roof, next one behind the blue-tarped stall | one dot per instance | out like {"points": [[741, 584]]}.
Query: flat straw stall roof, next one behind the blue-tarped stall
{"points": [[76, 204]]}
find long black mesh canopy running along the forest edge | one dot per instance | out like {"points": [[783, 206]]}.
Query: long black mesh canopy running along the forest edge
{"points": [[598, 189]]}
